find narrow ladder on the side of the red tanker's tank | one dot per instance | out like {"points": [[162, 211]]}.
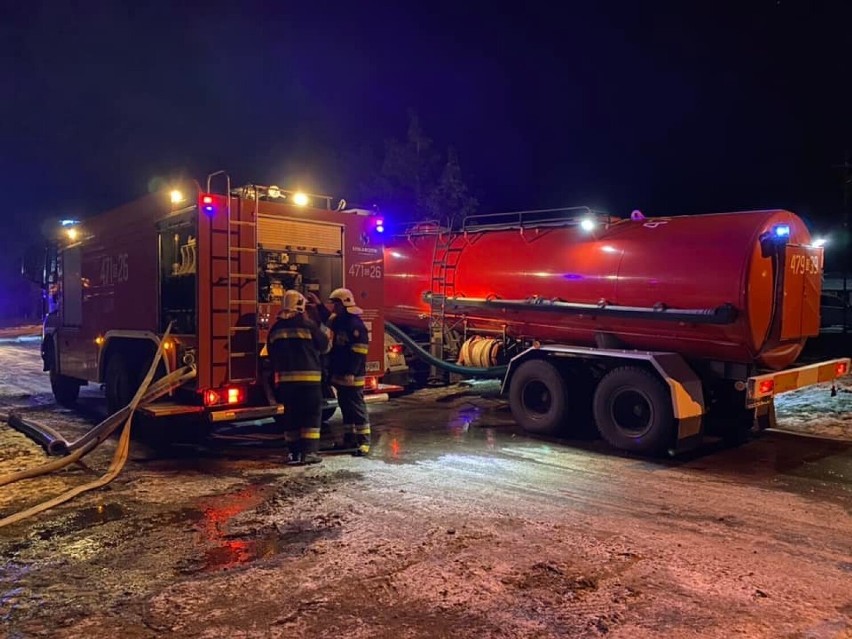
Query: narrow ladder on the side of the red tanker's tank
{"points": [[444, 262]]}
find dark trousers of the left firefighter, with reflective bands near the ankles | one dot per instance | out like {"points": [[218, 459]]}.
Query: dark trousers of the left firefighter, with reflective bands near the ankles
{"points": [[302, 416]]}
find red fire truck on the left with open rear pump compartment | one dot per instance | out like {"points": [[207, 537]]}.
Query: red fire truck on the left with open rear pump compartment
{"points": [[214, 264]]}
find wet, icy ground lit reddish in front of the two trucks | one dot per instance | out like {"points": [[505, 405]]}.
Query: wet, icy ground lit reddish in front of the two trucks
{"points": [[458, 525]]}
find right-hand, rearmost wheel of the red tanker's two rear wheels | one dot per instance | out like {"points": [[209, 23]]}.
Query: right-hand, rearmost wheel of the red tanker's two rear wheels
{"points": [[633, 410]]}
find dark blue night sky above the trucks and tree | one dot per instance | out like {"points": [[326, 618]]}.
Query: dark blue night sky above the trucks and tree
{"points": [[671, 107]]}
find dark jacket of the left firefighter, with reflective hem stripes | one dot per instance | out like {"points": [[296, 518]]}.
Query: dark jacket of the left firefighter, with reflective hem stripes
{"points": [[296, 345]]}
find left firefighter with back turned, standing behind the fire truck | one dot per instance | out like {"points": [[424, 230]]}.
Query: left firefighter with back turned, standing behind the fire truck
{"points": [[296, 344]]}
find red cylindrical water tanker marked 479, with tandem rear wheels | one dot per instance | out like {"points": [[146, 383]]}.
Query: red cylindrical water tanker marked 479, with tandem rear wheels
{"points": [[659, 329]]}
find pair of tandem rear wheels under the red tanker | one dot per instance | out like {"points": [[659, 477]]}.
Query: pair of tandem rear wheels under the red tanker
{"points": [[631, 406]]}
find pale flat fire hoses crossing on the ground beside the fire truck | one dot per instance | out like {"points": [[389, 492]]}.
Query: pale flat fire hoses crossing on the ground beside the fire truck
{"points": [[146, 393]]}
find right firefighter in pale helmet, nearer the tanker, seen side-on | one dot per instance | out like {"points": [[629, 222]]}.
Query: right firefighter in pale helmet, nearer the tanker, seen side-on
{"points": [[347, 367]]}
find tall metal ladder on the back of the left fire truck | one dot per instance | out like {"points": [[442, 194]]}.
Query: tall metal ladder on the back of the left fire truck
{"points": [[242, 310]]}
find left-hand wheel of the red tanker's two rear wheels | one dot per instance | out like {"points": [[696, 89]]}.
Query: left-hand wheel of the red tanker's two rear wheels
{"points": [[538, 397]]}
